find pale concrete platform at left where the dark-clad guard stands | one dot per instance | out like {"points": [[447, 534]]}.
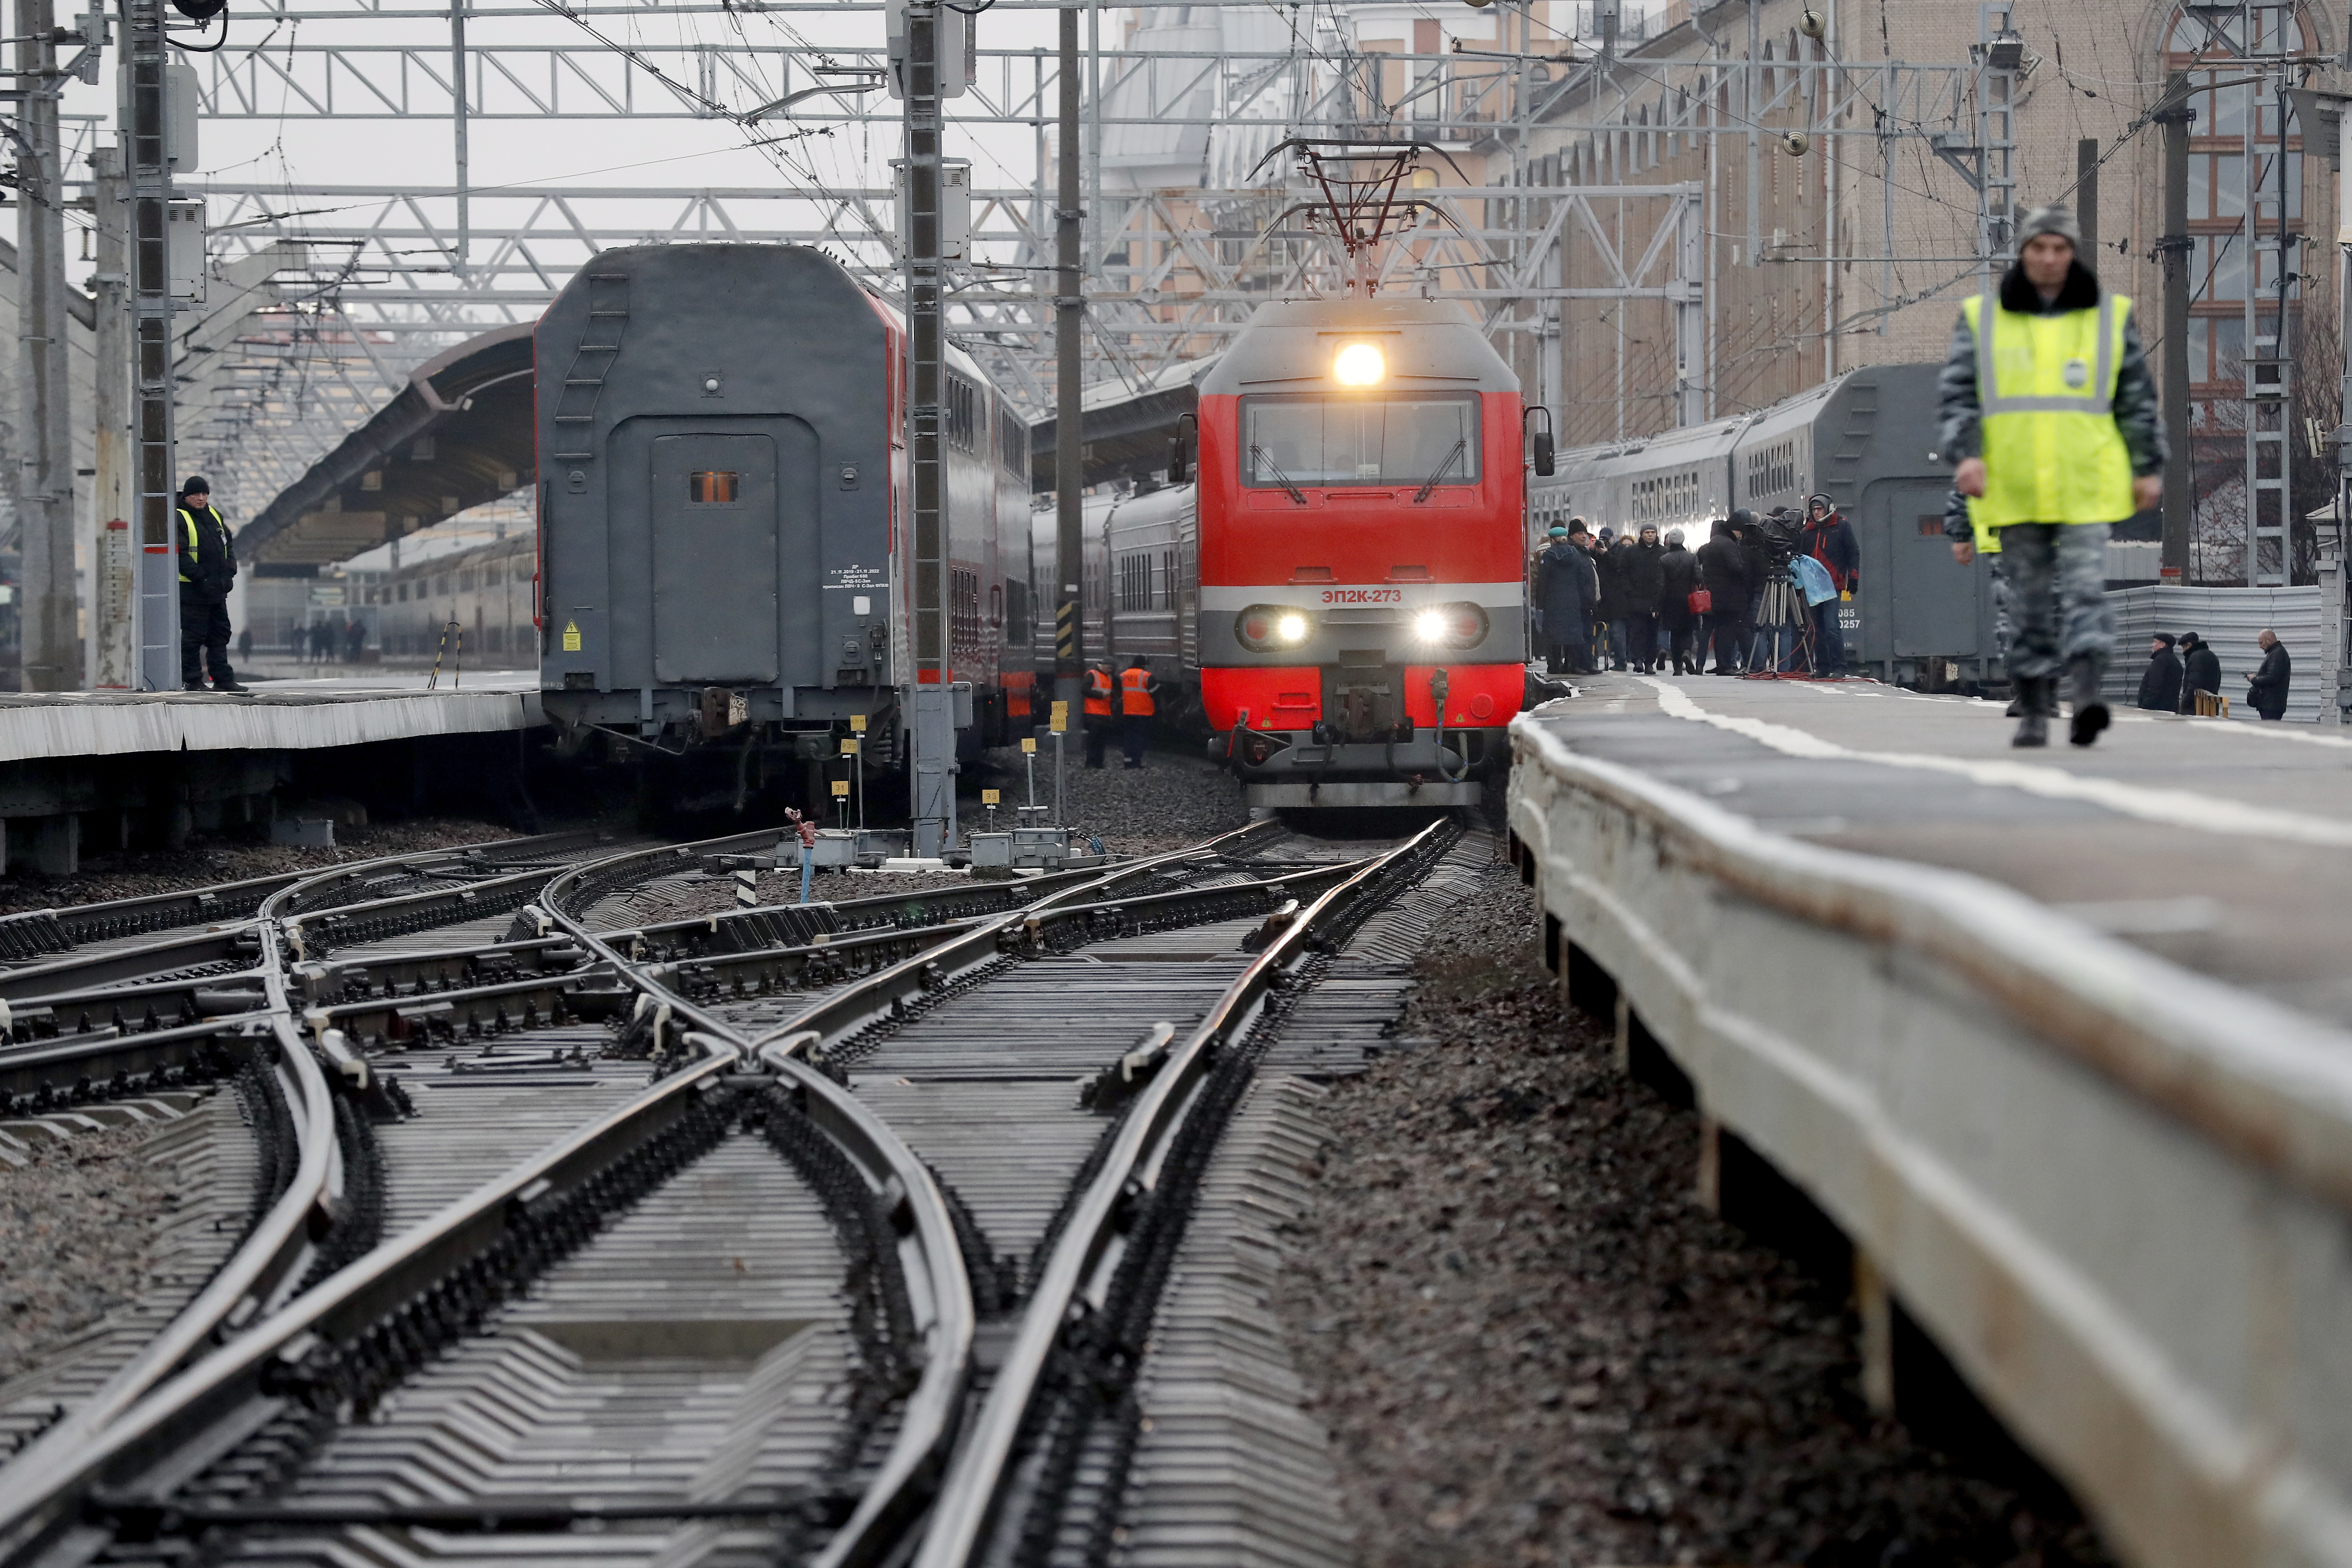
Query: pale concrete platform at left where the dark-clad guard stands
{"points": [[279, 716]]}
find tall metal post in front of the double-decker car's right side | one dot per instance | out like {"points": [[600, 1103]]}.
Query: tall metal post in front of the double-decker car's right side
{"points": [[933, 702]]}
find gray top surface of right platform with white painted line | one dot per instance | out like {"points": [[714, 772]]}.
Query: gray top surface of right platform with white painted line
{"points": [[2214, 845]]}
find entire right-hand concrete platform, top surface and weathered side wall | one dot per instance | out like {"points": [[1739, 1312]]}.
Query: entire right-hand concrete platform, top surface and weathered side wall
{"points": [[2054, 1040]]}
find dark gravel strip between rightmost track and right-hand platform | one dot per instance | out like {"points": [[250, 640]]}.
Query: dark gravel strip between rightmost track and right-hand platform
{"points": [[1535, 1348]]}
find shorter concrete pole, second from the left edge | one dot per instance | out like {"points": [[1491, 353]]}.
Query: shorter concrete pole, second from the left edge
{"points": [[112, 565]]}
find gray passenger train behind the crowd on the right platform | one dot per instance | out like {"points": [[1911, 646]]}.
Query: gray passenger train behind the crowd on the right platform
{"points": [[1869, 443]]}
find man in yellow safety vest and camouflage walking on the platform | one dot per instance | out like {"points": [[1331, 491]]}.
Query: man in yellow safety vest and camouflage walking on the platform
{"points": [[2054, 431]]}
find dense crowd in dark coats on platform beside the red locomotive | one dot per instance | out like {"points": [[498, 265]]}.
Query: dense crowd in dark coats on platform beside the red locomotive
{"points": [[1650, 603]]}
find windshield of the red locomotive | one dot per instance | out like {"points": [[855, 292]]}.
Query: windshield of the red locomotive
{"points": [[1405, 438]]}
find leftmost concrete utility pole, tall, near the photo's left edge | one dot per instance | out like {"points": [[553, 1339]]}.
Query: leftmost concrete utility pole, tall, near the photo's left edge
{"points": [[53, 645]]}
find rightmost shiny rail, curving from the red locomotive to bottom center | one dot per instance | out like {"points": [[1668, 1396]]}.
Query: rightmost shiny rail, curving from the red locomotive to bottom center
{"points": [[977, 1477]]}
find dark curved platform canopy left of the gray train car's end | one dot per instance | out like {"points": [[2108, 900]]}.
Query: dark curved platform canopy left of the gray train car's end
{"points": [[460, 434]]}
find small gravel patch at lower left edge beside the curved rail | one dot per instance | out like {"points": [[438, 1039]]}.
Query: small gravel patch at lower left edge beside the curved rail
{"points": [[76, 1231]]}
